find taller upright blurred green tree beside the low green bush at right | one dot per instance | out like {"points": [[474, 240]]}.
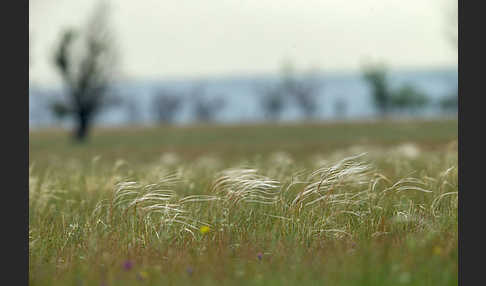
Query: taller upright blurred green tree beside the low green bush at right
{"points": [[375, 76]]}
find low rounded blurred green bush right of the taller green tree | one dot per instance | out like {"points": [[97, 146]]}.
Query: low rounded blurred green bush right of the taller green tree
{"points": [[408, 98]]}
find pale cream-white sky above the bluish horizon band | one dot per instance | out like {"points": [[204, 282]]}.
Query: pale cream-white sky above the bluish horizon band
{"points": [[193, 38]]}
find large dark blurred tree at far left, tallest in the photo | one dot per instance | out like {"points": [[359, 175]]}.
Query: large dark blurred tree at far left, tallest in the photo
{"points": [[85, 60]]}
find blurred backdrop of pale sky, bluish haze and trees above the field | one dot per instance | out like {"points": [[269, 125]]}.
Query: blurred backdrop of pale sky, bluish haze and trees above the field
{"points": [[152, 62]]}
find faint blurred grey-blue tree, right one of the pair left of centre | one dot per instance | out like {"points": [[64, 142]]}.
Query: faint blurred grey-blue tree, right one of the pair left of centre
{"points": [[204, 108]]}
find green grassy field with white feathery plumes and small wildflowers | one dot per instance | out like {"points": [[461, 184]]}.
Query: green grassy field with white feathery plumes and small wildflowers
{"points": [[316, 204]]}
